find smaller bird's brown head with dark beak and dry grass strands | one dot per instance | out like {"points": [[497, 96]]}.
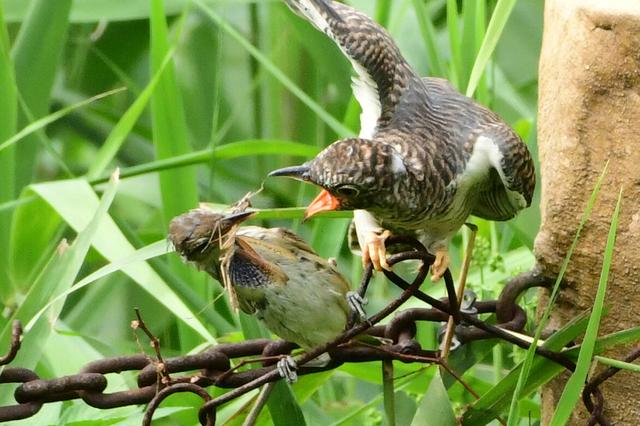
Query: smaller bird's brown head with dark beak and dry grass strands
{"points": [[200, 234]]}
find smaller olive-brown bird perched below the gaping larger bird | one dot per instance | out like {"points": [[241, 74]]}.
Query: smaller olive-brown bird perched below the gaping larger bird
{"points": [[275, 275]]}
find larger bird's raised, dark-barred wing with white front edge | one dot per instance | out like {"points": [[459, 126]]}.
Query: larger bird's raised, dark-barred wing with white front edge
{"points": [[382, 72]]}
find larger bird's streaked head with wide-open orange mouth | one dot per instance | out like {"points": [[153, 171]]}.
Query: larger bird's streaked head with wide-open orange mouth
{"points": [[353, 174]]}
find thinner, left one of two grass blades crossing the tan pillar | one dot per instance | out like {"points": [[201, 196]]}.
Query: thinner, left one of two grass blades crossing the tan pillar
{"points": [[524, 373]]}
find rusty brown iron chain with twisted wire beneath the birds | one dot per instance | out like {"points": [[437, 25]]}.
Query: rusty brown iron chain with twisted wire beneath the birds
{"points": [[213, 367]]}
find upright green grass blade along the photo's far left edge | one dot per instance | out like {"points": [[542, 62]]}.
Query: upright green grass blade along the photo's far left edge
{"points": [[8, 123]]}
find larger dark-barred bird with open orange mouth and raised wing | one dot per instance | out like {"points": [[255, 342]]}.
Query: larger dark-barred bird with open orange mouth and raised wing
{"points": [[427, 156]]}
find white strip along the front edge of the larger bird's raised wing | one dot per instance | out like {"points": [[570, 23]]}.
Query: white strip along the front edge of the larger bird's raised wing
{"points": [[364, 88]]}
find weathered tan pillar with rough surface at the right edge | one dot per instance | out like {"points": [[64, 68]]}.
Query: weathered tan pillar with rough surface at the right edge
{"points": [[589, 113]]}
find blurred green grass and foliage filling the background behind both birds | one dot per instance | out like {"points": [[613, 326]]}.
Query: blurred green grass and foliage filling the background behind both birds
{"points": [[218, 93]]}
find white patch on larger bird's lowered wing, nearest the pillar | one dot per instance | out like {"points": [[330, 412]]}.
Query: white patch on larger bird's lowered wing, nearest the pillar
{"points": [[486, 155]]}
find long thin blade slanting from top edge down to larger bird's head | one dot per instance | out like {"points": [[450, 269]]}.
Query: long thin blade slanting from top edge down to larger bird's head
{"points": [[270, 67]]}
